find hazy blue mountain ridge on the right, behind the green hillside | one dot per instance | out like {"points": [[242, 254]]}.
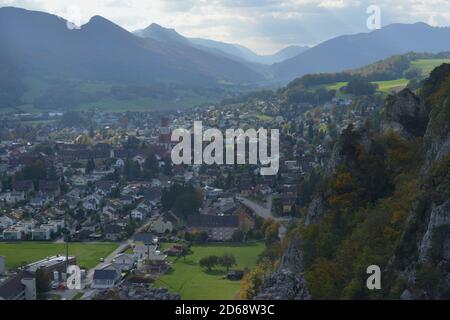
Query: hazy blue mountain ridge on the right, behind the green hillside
{"points": [[354, 51]]}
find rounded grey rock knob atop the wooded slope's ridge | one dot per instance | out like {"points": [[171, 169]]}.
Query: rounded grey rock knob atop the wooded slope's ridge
{"points": [[405, 114]]}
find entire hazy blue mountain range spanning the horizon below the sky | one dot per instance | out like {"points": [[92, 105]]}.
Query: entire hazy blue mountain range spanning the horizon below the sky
{"points": [[41, 44]]}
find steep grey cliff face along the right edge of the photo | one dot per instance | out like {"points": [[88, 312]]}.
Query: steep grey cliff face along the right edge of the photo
{"points": [[422, 258]]}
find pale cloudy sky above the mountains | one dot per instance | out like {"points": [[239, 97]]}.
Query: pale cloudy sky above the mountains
{"points": [[264, 26]]}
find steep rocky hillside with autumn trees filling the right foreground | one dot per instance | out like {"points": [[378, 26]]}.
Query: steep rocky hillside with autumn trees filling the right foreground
{"points": [[383, 200]]}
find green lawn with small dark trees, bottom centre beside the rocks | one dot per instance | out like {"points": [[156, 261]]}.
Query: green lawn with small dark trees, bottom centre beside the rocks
{"points": [[195, 283]]}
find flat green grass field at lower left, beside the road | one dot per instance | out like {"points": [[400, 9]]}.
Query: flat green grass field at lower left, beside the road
{"points": [[88, 254]]}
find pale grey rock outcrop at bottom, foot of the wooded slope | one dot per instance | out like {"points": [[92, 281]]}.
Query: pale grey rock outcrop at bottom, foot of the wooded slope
{"points": [[287, 283]]}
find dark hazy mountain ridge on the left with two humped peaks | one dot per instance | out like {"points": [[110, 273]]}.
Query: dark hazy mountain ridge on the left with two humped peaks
{"points": [[40, 44]]}
